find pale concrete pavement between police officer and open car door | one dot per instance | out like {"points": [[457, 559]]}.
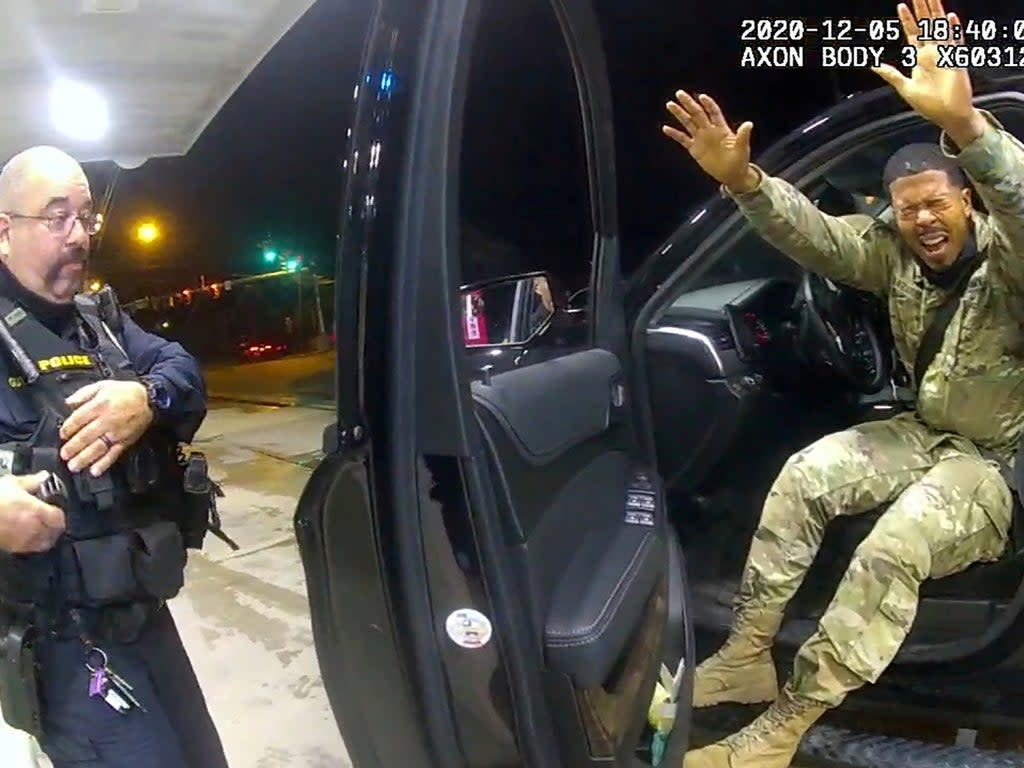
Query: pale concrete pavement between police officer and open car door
{"points": [[244, 616]]}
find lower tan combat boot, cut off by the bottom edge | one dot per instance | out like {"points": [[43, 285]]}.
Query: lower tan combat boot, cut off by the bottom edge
{"points": [[771, 742]]}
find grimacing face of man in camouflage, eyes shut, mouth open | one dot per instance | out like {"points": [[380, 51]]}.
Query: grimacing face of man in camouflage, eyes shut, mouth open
{"points": [[933, 216]]}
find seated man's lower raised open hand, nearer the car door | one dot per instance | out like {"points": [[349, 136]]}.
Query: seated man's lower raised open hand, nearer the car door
{"points": [[723, 154]]}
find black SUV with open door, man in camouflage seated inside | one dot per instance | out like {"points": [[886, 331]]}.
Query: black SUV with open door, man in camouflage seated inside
{"points": [[500, 560]]}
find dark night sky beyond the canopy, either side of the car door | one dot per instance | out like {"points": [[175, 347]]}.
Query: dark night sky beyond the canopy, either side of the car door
{"points": [[271, 162]]}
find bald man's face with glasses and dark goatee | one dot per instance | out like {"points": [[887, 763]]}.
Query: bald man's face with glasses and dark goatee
{"points": [[45, 245]]}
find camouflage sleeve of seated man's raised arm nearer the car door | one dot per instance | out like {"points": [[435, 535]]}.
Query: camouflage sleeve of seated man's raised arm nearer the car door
{"points": [[851, 249]]}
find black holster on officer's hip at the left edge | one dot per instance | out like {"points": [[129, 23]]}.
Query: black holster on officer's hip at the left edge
{"points": [[19, 674]]}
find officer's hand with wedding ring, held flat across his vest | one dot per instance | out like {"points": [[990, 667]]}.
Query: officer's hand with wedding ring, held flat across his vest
{"points": [[109, 418]]}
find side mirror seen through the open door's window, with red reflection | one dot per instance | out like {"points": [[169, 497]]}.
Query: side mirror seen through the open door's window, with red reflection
{"points": [[506, 312]]}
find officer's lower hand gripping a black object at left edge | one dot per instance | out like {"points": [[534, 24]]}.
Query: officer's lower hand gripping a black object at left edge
{"points": [[27, 525]]}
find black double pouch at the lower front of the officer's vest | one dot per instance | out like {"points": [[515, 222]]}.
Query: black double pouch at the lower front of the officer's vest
{"points": [[140, 565]]}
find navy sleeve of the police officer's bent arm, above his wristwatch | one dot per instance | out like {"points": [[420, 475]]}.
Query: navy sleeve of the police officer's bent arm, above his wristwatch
{"points": [[179, 371]]}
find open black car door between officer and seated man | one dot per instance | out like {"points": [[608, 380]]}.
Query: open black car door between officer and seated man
{"points": [[490, 569]]}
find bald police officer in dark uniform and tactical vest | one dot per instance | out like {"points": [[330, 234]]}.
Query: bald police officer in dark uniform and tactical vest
{"points": [[92, 533]]}
